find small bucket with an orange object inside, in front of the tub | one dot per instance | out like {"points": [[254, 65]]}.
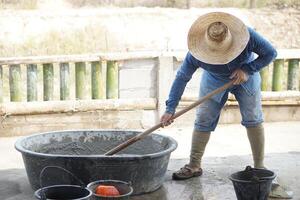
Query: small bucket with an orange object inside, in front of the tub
{"points": [[124, 189]]}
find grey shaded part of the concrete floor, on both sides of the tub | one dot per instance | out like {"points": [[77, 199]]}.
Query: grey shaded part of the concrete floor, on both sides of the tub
{"points": [[213, 185]]}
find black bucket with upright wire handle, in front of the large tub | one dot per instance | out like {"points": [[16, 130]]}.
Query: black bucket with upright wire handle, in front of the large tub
{"points": [[59, 192]]}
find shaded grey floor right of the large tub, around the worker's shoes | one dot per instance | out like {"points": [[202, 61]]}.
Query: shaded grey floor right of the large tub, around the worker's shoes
{"points": [[214, 184]]}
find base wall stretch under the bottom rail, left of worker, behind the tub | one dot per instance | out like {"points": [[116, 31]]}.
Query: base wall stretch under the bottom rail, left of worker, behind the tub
{"points": [[29, 124]]}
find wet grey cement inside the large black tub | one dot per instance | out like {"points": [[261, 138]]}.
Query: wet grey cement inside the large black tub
{"points": [[99, 147]]}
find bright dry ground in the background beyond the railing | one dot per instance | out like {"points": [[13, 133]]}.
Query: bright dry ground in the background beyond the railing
{"points": [[53, 29]]}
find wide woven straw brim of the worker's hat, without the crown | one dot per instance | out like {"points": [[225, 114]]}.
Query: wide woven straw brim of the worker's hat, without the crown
{"points": [[199, 48]]}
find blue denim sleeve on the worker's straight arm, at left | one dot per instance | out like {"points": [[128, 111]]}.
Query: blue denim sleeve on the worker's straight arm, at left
{"points": [[183, 75]]}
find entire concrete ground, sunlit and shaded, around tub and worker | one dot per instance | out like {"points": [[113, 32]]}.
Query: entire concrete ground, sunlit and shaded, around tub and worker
{"points": [[227, 152]]}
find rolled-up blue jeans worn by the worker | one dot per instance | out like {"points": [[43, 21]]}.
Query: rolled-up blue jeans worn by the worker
{"points": [[208, 112]]}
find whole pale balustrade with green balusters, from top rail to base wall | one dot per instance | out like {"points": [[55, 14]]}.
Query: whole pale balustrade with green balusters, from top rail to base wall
{"points": [[120, 90]]}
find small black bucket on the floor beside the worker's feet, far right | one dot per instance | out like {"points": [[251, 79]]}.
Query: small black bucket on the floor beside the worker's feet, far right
{"points": [[252, 183]]}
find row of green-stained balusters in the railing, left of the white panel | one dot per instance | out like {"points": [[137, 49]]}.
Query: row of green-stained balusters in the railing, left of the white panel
{"points": [[102, 85]]}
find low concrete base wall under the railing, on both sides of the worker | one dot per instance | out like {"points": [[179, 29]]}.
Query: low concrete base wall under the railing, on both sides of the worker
{"points": [[135, 119]]}
